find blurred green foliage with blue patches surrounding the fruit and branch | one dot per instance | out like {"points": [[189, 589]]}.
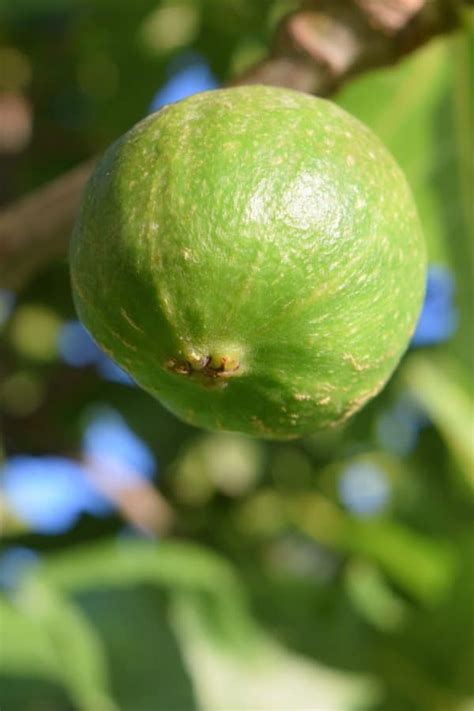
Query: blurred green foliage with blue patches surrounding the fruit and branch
{"points": [[336, 572]]}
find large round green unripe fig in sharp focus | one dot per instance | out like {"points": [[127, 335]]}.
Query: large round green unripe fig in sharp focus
{"points": [[253, 258]]}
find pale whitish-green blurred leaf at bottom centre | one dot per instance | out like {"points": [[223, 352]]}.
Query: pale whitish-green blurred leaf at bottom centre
{"points": [[272, 677]]}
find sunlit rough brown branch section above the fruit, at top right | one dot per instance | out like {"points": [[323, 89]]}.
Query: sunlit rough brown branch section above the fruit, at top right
{"points": [[328, 41]]}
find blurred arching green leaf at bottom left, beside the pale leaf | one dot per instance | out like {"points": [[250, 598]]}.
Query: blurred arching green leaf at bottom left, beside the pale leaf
{"points": [[106, 580]]}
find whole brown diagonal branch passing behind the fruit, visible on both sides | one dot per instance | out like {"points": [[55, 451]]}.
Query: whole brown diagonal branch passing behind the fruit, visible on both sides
{"points": [[316, 49]]}
